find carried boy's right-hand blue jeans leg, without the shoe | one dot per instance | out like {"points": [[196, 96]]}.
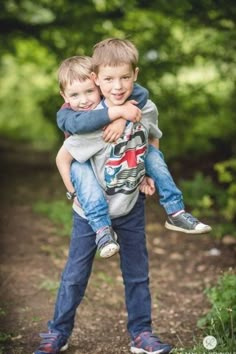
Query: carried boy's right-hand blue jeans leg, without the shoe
{"points": [[171, 197]]}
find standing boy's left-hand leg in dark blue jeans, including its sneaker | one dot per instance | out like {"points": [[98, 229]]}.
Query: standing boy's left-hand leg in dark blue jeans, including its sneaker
{"points": [[72, 287]]}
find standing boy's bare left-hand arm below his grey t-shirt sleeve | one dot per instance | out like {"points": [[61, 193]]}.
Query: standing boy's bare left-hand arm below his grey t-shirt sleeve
{"points": [[63, 161]]}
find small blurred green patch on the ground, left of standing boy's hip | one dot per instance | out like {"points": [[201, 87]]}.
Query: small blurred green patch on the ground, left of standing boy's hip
{"points": [[57, 211]]}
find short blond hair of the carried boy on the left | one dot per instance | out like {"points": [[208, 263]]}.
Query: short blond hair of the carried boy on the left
{"points": [[74, 68]]}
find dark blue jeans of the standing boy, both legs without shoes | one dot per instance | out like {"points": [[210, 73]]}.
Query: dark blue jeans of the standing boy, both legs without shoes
{"points": [[130, 230]]}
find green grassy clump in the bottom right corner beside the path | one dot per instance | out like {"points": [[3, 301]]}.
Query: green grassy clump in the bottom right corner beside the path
{"points": [[221, 319]]}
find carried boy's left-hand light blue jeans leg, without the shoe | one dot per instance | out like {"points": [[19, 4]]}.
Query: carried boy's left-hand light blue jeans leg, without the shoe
{"points": [[90, 195]]}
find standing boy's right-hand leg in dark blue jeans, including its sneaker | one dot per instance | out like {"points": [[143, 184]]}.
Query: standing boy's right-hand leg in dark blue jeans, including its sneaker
{"points": [[134, 266]]}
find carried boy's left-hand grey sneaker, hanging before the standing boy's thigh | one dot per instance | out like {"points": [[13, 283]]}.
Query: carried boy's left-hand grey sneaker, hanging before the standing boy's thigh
{"points": [[106, 243]]}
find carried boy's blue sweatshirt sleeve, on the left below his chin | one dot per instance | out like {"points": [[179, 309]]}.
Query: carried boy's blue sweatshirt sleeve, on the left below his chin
{"points": [[82, 122]]}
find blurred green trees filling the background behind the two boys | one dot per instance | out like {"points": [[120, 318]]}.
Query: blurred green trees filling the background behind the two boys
{"points": [[187, 61]]}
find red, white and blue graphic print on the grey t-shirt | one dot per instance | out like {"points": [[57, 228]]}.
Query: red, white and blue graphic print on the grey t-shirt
{"points": [[124, 170]]}
